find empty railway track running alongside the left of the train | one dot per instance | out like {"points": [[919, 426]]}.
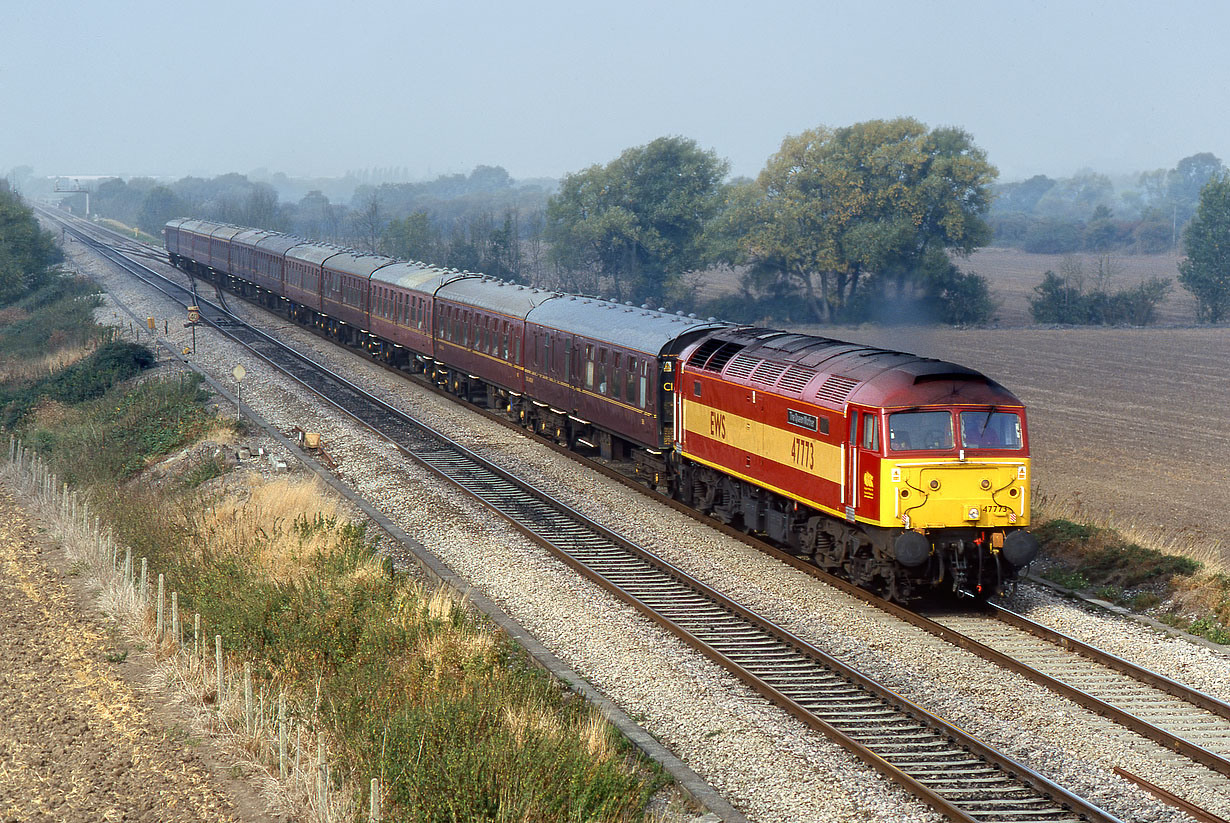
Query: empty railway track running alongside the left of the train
{"points": [[950, 771]]}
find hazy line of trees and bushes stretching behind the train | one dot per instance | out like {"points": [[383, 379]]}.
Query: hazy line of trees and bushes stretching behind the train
{"points": [[842, 226]]}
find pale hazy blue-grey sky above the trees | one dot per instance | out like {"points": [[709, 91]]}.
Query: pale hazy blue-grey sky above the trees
{"points": [[546, 88]]}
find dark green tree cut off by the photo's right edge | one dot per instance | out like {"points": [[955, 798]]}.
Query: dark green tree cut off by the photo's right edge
{"points": [[1206, 272]]}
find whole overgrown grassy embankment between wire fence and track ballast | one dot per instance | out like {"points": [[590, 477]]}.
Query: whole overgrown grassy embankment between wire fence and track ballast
{"points": [[334, 672]]}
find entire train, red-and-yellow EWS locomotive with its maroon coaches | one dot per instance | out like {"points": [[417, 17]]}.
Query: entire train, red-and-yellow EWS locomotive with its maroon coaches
{"points": [[906, 475]]}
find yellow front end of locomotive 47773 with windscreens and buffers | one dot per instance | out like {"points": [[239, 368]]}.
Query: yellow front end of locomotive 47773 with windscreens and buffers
{"points": [[958, 482]]}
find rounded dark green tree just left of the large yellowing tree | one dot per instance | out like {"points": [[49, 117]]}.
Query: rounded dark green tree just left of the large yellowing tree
{"points": [[640, 220]]}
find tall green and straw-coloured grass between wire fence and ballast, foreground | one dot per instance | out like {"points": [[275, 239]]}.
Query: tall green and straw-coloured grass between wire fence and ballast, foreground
{"points": [[447, 713]]}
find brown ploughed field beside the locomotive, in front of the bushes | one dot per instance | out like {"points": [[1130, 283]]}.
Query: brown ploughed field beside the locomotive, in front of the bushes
{"points": [[1130, 427]]}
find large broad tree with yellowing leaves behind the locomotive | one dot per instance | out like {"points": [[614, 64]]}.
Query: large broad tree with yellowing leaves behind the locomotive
{"points": [[873, 201]]}
